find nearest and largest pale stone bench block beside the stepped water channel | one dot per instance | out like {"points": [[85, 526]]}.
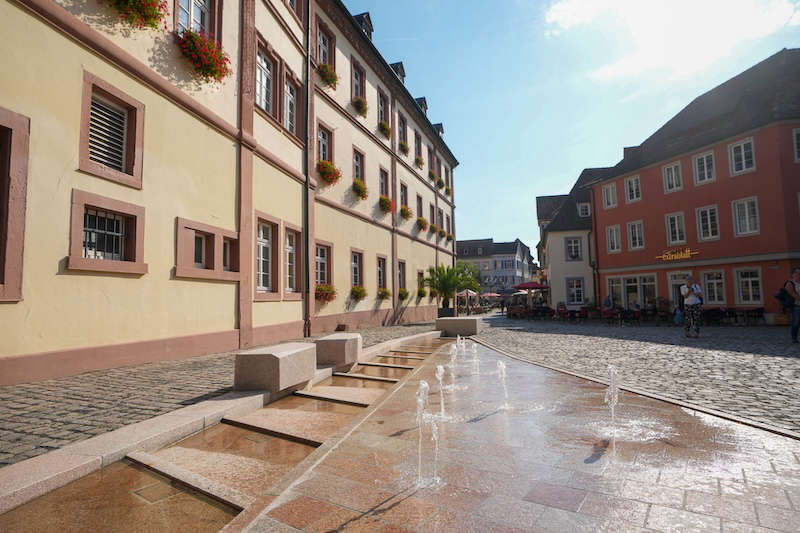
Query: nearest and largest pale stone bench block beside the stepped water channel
{"points": [[275, 368]]}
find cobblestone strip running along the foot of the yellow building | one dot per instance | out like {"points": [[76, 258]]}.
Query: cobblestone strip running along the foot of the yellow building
{"points": [[36, 418]]}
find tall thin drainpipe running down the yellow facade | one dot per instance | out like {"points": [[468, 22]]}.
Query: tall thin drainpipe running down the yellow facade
{"points": [[307, 300]]}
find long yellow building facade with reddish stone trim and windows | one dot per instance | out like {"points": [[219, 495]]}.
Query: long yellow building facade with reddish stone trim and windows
{"points": [[146, 215]]}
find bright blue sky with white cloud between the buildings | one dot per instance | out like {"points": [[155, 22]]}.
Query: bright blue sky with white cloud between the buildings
{"points": [[532, 92]]}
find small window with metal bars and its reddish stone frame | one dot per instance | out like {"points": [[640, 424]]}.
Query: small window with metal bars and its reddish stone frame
{"points": [[106, 235]]}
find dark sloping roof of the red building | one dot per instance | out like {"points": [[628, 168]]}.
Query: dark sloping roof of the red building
{"points": [[766, 92]]}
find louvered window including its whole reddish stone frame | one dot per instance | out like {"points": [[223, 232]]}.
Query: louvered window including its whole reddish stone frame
{"points": [[112, 126]]}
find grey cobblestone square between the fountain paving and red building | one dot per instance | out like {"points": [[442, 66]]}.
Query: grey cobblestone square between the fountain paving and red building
{"points": [[752, 372]]}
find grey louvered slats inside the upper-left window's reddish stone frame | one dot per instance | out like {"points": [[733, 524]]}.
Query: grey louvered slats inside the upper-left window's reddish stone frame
{"points": [[107, 134]]}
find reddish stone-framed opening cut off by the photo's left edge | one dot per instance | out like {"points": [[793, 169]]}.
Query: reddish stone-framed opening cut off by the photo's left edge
{"points": [[14, 146]]}
